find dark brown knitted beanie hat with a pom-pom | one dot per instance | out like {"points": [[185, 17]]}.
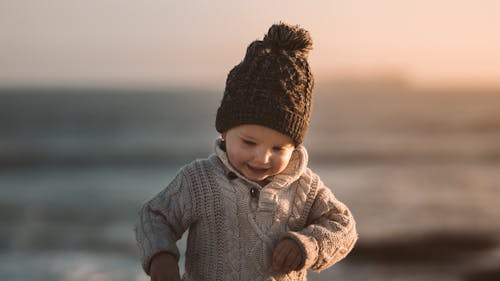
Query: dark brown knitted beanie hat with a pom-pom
{"points": [[272, 86]]}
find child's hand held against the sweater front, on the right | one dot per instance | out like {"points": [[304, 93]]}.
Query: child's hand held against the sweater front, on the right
{"points": [[287, 256]]}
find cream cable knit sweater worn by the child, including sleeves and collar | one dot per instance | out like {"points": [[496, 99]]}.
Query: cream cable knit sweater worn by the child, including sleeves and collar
{"points": [[234, 223]]}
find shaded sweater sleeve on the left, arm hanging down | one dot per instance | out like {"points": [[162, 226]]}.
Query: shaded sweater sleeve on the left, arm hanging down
{"points": [[163, 220]]}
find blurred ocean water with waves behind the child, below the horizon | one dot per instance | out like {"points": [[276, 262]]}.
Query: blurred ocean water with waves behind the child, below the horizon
{"points": [[420, 170]]}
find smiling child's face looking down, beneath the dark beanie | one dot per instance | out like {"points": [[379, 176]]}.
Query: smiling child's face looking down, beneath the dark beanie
{"points": [[258, 152]]}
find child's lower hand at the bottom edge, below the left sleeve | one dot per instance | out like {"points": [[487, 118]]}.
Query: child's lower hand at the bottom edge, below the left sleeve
{"points": [[164, 268]]}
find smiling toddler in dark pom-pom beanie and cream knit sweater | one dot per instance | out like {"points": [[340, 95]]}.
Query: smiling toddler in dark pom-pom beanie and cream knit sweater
{"points": [[253, 209]]}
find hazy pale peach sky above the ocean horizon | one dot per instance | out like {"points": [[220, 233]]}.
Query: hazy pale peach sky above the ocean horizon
{"points": [[160, 43]]}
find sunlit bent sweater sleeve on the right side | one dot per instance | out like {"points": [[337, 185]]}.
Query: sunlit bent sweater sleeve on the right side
{"points": [[330, 232]]}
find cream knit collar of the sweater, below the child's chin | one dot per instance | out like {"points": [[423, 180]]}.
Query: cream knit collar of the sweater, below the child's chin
{"points": [[296, 167]]}
